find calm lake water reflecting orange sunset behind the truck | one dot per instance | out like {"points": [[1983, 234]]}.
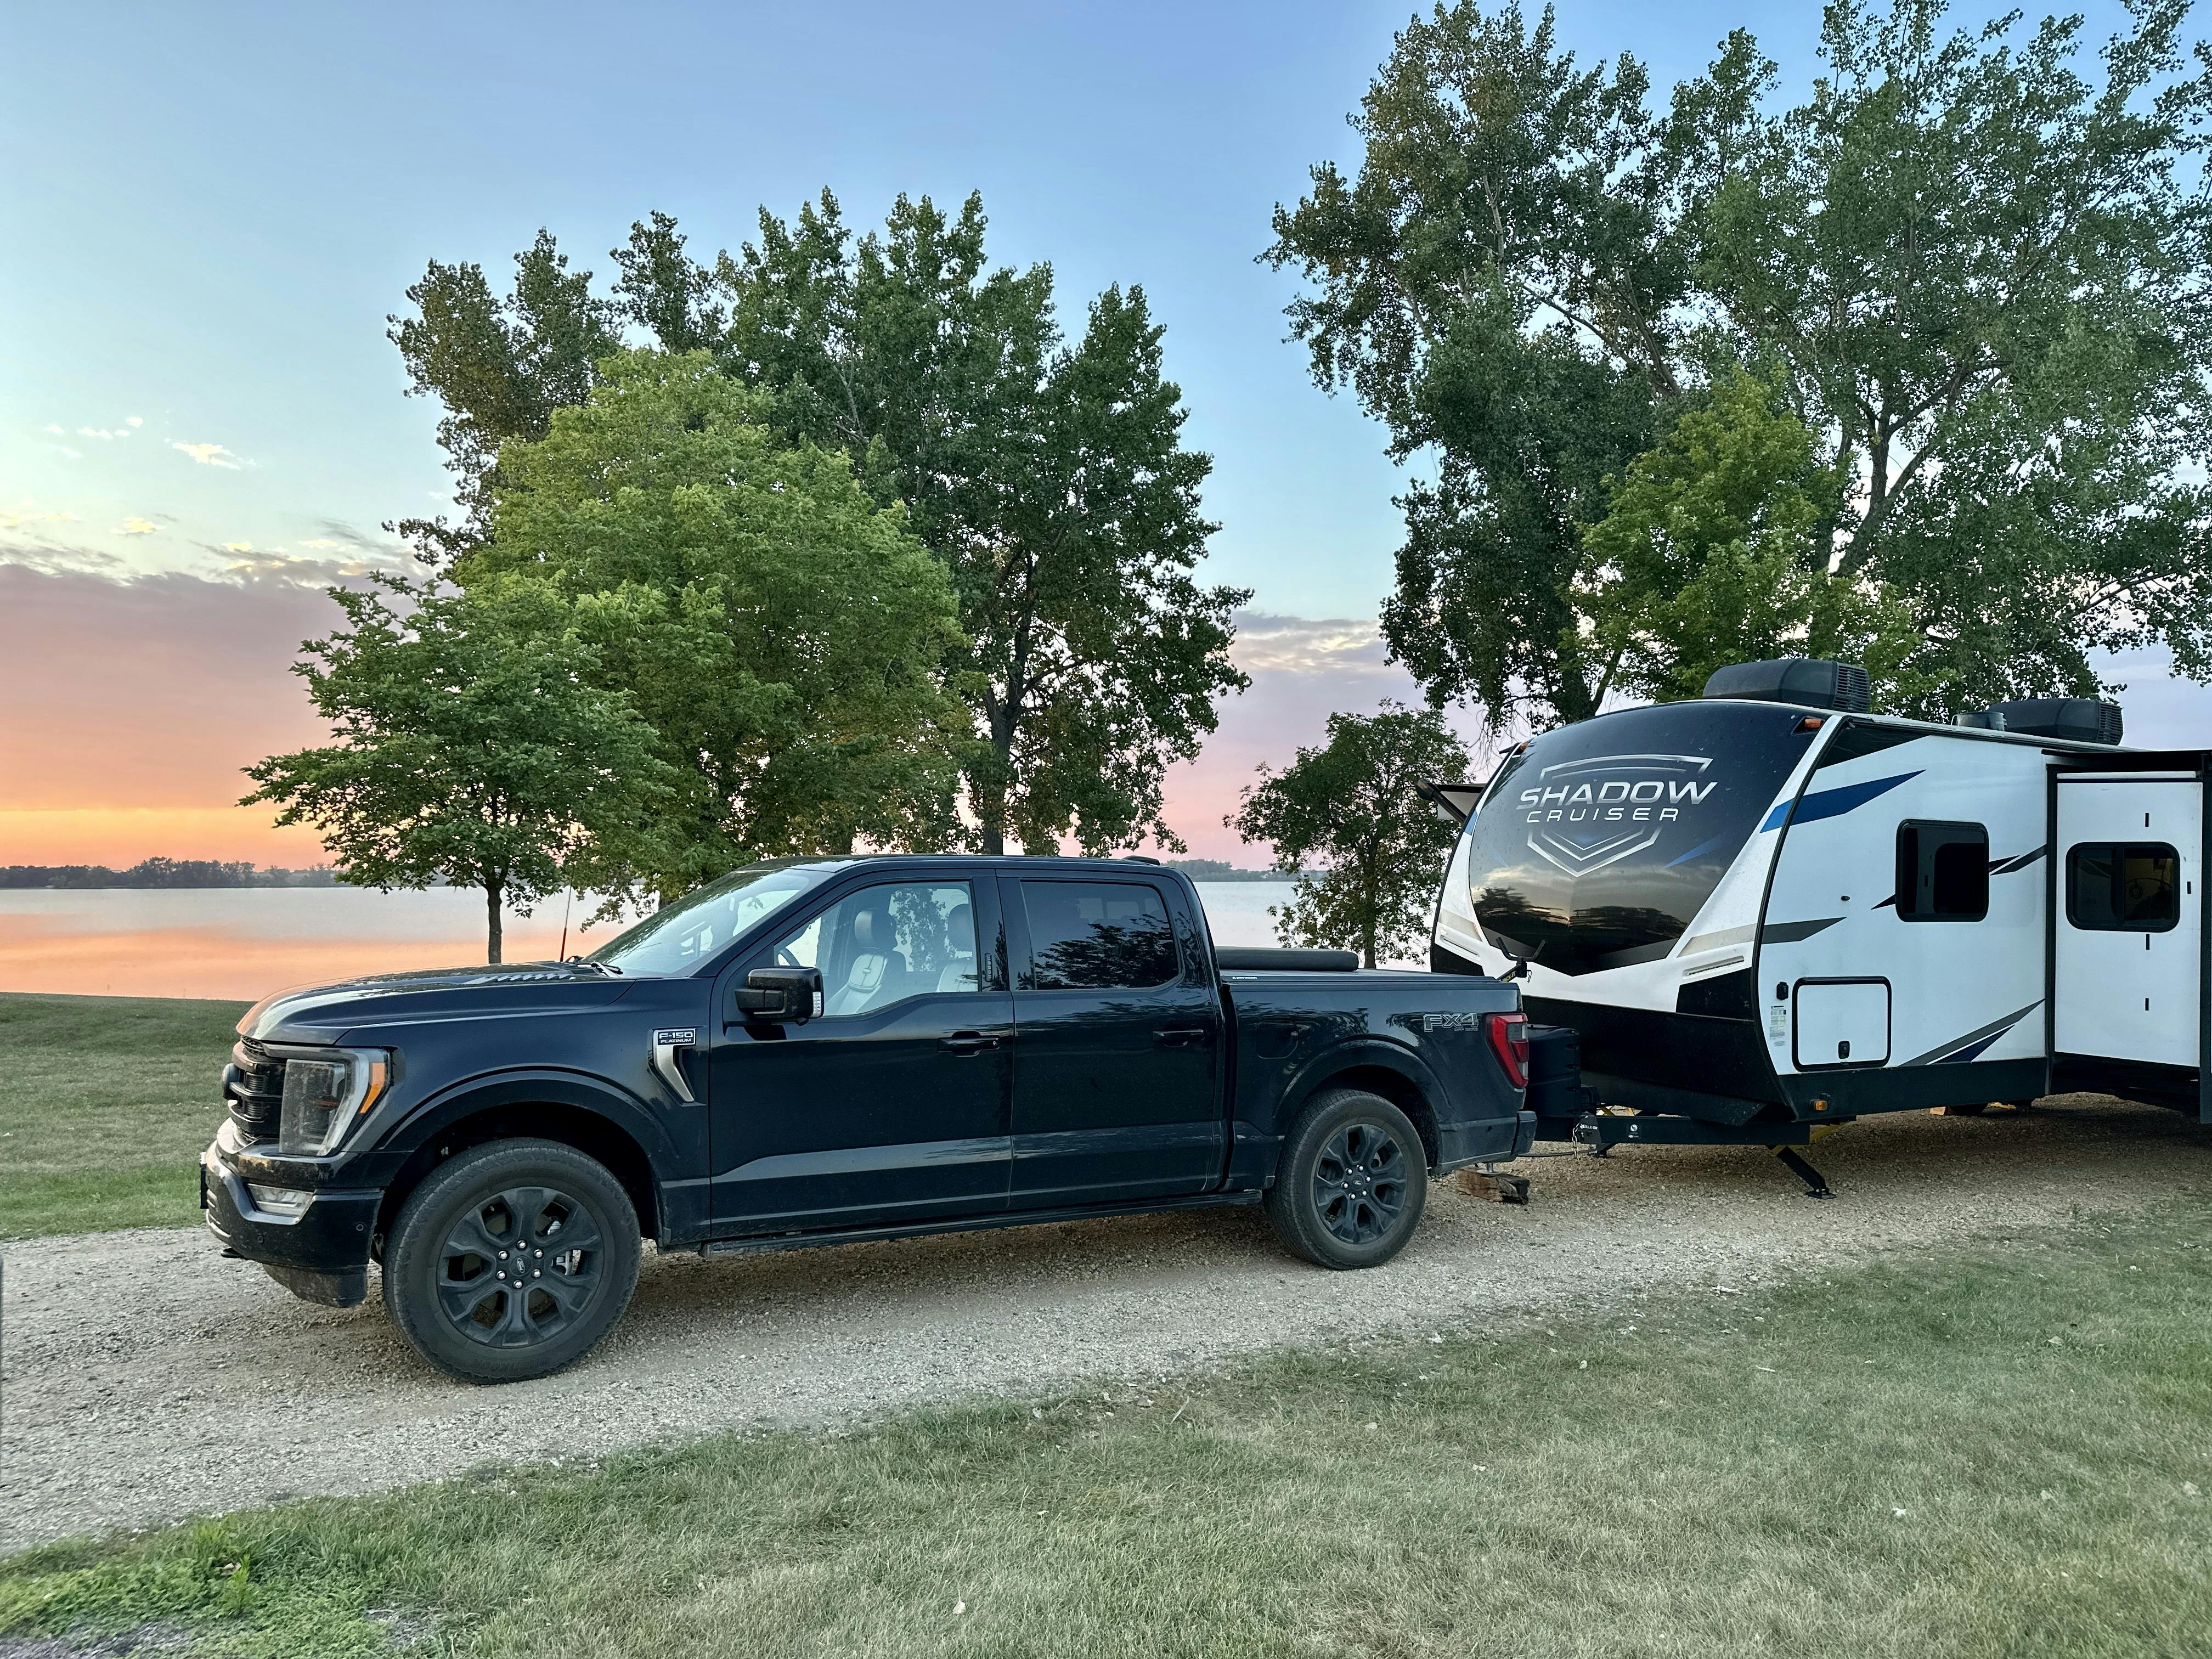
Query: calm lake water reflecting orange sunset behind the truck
{"points": [[251, 941]]}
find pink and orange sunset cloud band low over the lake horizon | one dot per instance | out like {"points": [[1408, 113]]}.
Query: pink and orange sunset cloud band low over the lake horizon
{"points": [[127, 711]]}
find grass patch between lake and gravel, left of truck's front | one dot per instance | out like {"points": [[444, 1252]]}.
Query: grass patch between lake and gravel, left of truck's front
{"points": [[105, 1105]]}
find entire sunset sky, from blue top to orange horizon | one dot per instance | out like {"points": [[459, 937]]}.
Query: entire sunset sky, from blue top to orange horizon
{"points": [[211, 211]]}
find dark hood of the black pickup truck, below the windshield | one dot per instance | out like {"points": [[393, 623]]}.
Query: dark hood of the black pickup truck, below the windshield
{"points": [[326, 1012]]}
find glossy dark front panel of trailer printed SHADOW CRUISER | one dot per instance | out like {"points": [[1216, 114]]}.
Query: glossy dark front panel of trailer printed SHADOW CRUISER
{"points": [[1600, 842]]}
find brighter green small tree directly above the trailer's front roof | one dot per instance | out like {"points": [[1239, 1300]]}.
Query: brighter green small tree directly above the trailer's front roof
{"points": [[1713, 552]]}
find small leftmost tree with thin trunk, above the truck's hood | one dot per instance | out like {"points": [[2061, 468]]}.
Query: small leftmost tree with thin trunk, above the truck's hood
{"points": [[474, 747]]}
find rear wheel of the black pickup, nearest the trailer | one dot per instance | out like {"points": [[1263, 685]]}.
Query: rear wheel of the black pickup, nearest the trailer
{"points": [[1353, 1182]]}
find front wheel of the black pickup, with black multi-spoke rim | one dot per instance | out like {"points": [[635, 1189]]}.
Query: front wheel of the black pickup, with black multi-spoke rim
{"points": [[512, 1262]]}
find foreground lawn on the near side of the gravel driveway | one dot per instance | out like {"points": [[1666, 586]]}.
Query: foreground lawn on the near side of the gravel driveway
{"points": [[1981, 1454]]}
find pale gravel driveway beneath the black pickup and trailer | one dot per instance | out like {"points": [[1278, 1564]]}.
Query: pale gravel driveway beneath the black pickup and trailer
{"points": [[149, 1379]]}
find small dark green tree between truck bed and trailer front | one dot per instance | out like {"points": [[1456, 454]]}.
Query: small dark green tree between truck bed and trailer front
{"points": [[1353, 808]]}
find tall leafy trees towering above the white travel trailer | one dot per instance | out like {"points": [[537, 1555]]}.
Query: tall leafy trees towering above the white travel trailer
{"points": [[1979, 275]]}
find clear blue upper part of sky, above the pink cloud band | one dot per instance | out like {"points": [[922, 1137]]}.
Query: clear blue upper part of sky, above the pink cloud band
{"points": [[216, 207]]}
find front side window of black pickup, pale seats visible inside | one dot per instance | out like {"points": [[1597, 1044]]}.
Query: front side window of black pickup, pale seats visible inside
{"points": [[888, 943]]}
